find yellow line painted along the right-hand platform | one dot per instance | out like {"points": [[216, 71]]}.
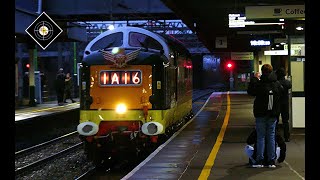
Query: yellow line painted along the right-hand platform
{"points": [[210, 161]]}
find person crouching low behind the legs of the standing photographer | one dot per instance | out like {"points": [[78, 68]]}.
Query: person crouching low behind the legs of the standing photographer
{"points": [[251, 149]]}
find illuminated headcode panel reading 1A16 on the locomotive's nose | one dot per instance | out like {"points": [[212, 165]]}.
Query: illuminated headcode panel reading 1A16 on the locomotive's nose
{"points": [[120, 78]]}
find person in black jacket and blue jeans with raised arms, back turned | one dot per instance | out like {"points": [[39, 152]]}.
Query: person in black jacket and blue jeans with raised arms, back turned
{"points": [[266, 109]]}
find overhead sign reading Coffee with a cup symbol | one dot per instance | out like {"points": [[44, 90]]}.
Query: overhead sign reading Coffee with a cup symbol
{"points": [[271, 12]]}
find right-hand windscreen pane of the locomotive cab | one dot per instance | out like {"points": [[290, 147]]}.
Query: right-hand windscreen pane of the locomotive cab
{"points": [[142, 40]]}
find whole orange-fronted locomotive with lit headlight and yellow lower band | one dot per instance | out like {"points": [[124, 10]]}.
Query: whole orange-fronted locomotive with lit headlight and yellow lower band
{"points": [[136, 89]]}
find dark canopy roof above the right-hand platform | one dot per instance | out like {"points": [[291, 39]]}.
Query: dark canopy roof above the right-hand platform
{"points": [[209, 19]]}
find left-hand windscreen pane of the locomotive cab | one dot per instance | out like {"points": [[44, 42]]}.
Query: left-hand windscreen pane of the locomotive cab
{"points": [[112, 40]]}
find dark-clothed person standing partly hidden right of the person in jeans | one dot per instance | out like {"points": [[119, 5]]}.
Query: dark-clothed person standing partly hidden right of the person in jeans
{"points": [[284, 103]]}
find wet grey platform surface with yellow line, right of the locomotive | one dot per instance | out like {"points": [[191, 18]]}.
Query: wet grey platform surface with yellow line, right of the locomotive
{"points": [[211, 146]]}
